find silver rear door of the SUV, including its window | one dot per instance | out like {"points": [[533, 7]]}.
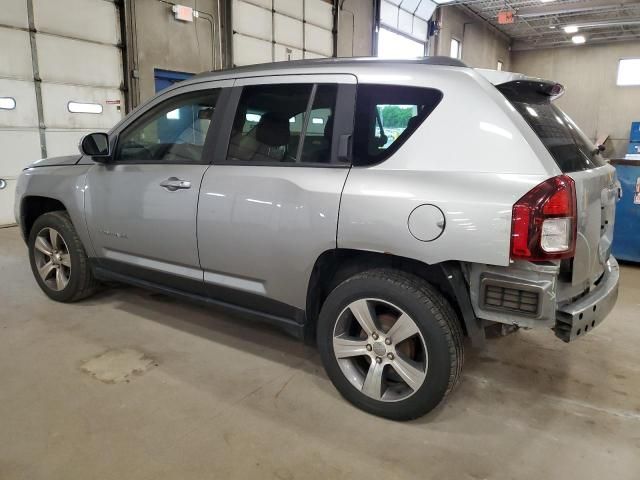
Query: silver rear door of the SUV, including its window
{"points": [[269, 204]]}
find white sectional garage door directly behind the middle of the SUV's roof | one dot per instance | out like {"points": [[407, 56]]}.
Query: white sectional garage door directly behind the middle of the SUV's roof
{"points": [[277, 30]]}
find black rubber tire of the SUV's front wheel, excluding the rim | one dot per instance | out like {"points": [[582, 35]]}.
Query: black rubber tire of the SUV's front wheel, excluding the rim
{"points": [[81, 283]]}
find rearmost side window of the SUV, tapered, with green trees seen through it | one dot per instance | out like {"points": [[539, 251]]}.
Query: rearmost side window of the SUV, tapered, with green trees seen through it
{"points": [[386, 116]]}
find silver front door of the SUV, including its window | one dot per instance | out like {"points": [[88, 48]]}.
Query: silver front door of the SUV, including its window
{"points": [[141, 207]]}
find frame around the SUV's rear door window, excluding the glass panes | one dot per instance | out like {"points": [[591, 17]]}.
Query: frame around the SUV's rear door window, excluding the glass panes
{"points": [[343, 119]]}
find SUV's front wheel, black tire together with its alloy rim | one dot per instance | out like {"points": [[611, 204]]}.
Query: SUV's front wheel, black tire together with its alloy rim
{"points": [[70, 260]]}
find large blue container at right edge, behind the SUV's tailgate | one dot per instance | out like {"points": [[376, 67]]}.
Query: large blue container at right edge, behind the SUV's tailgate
{"points": [[626, 235]]}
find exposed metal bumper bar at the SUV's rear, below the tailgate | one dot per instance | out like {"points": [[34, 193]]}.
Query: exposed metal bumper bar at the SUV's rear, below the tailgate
{"points": [[577, 318]]}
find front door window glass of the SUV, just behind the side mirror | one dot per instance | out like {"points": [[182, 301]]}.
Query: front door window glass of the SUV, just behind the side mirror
{"points": [[173, 132]]}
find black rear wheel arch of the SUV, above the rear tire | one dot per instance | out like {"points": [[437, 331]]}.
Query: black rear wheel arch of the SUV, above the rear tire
{"points": [[334, 266]]}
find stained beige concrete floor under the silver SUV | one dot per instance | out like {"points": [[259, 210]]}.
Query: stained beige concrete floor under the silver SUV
{"points": [[218, 397]]}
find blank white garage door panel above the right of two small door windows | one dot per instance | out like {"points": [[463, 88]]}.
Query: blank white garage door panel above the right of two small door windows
{"points": [[100, 65]]}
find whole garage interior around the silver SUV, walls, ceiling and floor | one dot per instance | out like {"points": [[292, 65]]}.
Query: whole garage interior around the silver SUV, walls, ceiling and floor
{"points": [[132, 384]]}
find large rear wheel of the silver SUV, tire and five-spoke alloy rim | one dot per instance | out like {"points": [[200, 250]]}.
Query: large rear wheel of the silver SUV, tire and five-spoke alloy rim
{"points": [[434, 351]]}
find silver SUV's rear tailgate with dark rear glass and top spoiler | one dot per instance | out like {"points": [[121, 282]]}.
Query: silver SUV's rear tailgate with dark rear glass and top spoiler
{"points": [[577, 157]]}
